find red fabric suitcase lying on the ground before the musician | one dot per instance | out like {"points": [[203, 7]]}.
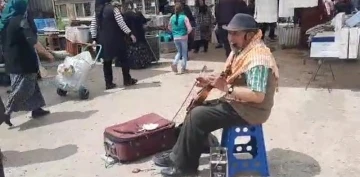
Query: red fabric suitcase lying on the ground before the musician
{"points": [[127, 142]]}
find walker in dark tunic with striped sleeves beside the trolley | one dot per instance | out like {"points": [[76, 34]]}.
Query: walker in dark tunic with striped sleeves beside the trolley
{"points": [[109, 29]]}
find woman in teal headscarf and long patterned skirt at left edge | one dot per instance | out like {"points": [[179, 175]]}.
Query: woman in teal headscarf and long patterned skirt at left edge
{"points": [[21, 61]]}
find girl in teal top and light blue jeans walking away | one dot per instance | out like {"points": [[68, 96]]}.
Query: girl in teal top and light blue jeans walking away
{"points": [[180, 26]]}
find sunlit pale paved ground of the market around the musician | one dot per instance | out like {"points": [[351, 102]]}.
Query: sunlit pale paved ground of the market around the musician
{"points": [[310, 133]]}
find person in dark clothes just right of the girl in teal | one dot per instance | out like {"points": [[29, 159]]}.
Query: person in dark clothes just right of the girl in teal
{"points": [[204, 22]]}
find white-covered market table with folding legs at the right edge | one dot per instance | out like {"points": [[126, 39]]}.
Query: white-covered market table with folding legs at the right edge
{"points": [[335, 40]]}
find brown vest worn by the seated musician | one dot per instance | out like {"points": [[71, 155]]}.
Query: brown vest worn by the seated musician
{"points": [[255, 113]]}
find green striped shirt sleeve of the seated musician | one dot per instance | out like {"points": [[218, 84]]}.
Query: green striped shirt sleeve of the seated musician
{"points": [[256, 78]]}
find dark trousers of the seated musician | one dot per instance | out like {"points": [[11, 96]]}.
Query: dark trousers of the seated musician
{"points": [[198, 124]]}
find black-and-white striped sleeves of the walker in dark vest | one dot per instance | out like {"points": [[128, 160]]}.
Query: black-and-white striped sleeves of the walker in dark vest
{"points": [[119, 19]]}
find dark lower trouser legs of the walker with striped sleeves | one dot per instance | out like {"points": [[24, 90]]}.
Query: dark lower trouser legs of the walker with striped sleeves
{"points": [[108, 73]]}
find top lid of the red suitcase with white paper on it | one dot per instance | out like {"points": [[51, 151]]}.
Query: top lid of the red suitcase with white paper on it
{"points": [[146, 124]]}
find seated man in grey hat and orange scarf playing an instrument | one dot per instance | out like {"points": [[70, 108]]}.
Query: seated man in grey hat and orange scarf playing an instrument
{"points": [[248, 96]]}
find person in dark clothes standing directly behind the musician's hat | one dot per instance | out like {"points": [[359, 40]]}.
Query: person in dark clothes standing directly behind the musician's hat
{"points": [[225, 10]]}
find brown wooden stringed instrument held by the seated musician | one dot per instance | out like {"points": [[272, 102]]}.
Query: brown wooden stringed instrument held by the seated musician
{"points": [[204, 92]]}
